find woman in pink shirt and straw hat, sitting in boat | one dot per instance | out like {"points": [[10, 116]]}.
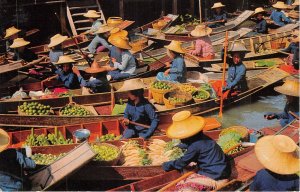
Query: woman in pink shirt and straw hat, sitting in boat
{"points": [[203, 48]]}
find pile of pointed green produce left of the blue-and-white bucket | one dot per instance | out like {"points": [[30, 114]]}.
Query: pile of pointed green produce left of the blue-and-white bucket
{"points": [[55, 138]]}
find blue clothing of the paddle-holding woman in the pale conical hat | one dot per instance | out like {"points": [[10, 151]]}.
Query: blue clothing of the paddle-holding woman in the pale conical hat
{"points": [[143, 113]]}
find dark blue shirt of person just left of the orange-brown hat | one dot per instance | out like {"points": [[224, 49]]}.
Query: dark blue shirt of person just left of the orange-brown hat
{"points": [[70, 80]]}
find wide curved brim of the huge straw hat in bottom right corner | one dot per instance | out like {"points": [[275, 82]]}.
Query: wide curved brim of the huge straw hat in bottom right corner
{"points": [[274, 160]]}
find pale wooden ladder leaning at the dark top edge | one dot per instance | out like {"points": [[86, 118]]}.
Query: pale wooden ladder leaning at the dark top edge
{"points": [[75, 11]]}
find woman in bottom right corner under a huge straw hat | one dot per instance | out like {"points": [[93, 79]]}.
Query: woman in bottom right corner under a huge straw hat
{"points": [[279, 154]]}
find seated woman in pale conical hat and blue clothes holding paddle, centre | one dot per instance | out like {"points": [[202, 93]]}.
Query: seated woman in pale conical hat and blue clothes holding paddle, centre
{"points": [[138, 110]]}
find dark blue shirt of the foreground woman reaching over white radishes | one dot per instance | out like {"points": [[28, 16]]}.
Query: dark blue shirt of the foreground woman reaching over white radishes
{"points": [[207, 154]]}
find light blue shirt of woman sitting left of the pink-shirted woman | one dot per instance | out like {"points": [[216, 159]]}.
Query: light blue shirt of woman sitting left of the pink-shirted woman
{"points": [[178, 70]]}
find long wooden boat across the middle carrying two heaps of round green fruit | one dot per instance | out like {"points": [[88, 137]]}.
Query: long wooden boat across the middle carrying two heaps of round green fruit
{"points": [[103, 105]]}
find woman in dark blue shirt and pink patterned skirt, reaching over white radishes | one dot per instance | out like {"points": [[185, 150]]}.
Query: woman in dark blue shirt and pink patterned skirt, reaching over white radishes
{"points": [[214, 169]]}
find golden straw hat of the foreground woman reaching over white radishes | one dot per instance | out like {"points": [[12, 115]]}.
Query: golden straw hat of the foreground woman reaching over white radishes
{"points": [[185, 125]]}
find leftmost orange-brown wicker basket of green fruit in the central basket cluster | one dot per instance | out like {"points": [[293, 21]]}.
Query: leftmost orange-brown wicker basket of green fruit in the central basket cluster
{"points": [[178, 94]]}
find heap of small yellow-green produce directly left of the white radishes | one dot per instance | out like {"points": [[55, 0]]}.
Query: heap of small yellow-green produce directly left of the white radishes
{"points": [[105, 152]]}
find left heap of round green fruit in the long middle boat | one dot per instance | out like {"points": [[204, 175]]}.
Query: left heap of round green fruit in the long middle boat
{"points": [[35, 108]]}
